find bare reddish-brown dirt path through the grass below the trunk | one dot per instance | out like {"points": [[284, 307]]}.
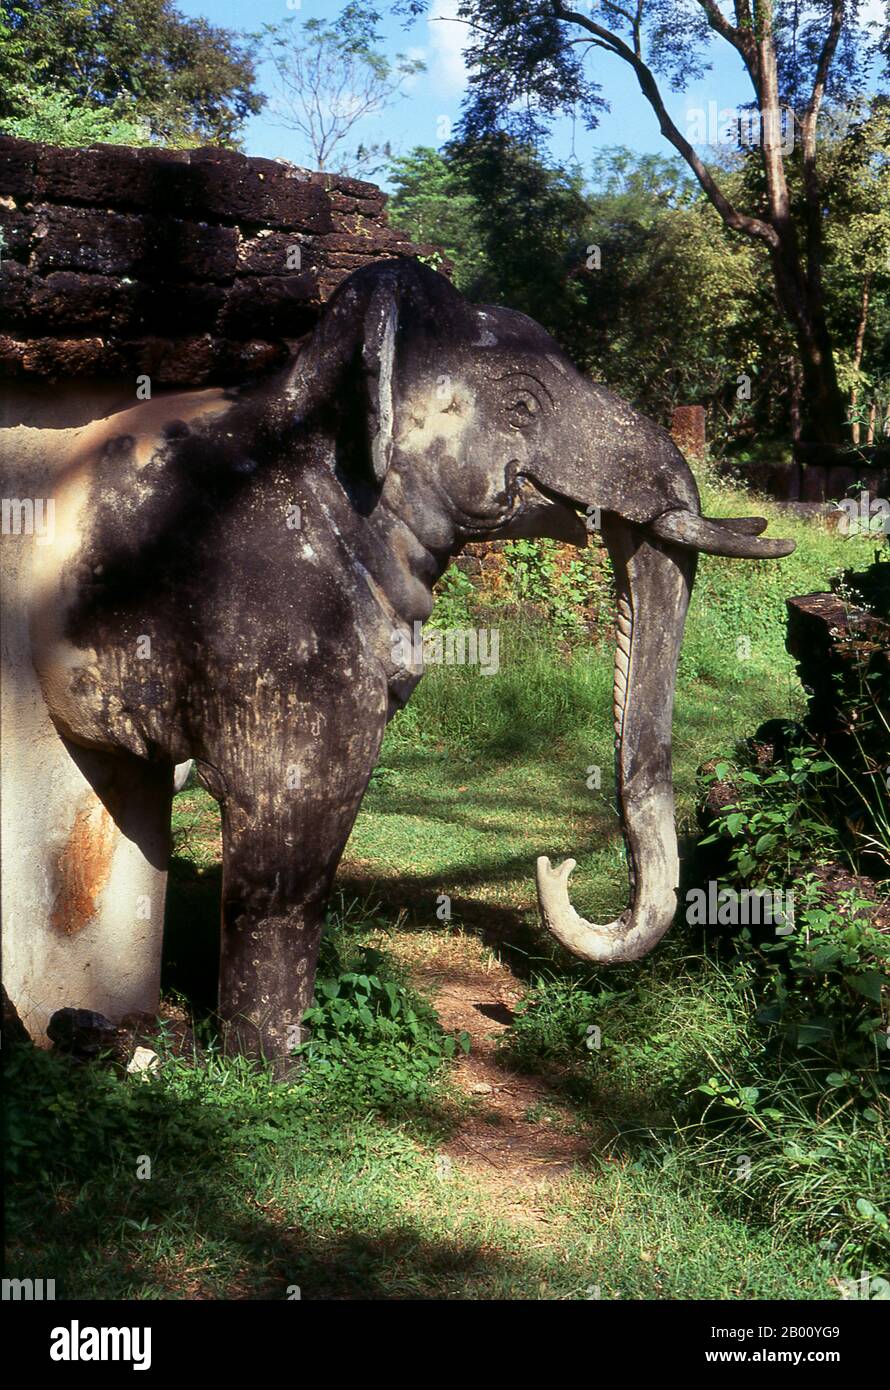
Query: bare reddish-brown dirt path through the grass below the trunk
{"points": [[515, 1136]]}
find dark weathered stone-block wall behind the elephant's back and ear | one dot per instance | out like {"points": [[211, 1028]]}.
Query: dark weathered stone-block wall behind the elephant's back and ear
{"points": [[193, 266]]}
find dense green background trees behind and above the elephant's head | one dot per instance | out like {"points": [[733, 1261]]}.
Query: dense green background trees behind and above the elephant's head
{"points": [[636, 275]]}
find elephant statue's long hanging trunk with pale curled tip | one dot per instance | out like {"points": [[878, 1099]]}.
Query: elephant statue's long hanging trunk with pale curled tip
{"points": [[654, 582]]}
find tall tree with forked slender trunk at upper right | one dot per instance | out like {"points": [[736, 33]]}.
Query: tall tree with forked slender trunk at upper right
{"points": [[528, 63]]}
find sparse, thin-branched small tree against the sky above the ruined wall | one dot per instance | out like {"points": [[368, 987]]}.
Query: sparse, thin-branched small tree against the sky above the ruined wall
{"points": [[329, 79]]}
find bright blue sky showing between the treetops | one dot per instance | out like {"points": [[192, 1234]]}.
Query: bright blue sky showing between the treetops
{"points": [[437, 94]]}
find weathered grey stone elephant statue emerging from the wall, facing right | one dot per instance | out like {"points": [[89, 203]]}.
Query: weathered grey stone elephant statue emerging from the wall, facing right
{"points": [[226, 579]]}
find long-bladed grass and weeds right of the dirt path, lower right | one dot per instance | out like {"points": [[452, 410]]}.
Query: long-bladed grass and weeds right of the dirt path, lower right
{"points": [[686, 1081]]}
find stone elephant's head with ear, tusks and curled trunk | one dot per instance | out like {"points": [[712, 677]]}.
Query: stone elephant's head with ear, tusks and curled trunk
{"points": [[476, 419]]}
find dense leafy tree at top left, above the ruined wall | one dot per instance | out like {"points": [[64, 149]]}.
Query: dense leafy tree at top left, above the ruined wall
{"points": [[136, 62]]}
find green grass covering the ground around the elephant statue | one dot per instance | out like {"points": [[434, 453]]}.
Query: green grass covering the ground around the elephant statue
{"points": [[340, 1191]]}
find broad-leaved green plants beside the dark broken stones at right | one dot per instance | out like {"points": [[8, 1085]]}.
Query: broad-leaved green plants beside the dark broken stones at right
{"points": [[825, 978]]}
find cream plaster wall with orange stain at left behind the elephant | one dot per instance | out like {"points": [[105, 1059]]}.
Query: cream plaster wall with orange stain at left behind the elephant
{"points": [[55, 831]]}
